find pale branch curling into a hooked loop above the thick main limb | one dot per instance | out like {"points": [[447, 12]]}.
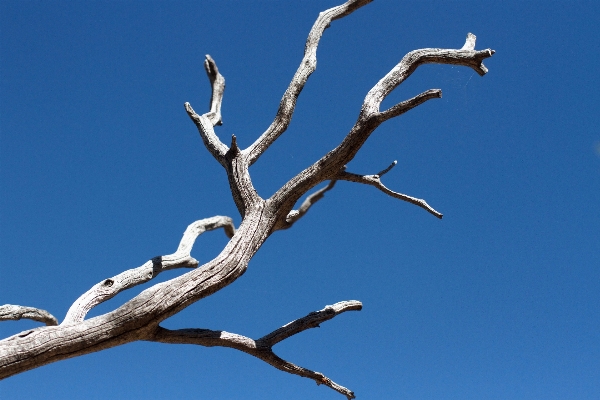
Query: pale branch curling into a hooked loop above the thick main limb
{"points": [[109, 288]]}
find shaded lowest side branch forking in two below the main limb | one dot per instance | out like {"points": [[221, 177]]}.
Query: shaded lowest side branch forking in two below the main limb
{"points": [[262, 348]]}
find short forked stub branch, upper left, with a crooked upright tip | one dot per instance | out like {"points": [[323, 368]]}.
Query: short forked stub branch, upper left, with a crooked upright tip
{"points": [[206, 122]]}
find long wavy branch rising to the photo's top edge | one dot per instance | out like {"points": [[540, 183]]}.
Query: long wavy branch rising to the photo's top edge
{"points": [[306, 68]]}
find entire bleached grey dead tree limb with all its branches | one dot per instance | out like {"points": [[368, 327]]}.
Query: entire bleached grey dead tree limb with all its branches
{"points": [[140, 317]]}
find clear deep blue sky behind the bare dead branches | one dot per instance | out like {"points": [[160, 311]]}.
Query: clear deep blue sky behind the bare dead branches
{"points": [[101, 169]]}
